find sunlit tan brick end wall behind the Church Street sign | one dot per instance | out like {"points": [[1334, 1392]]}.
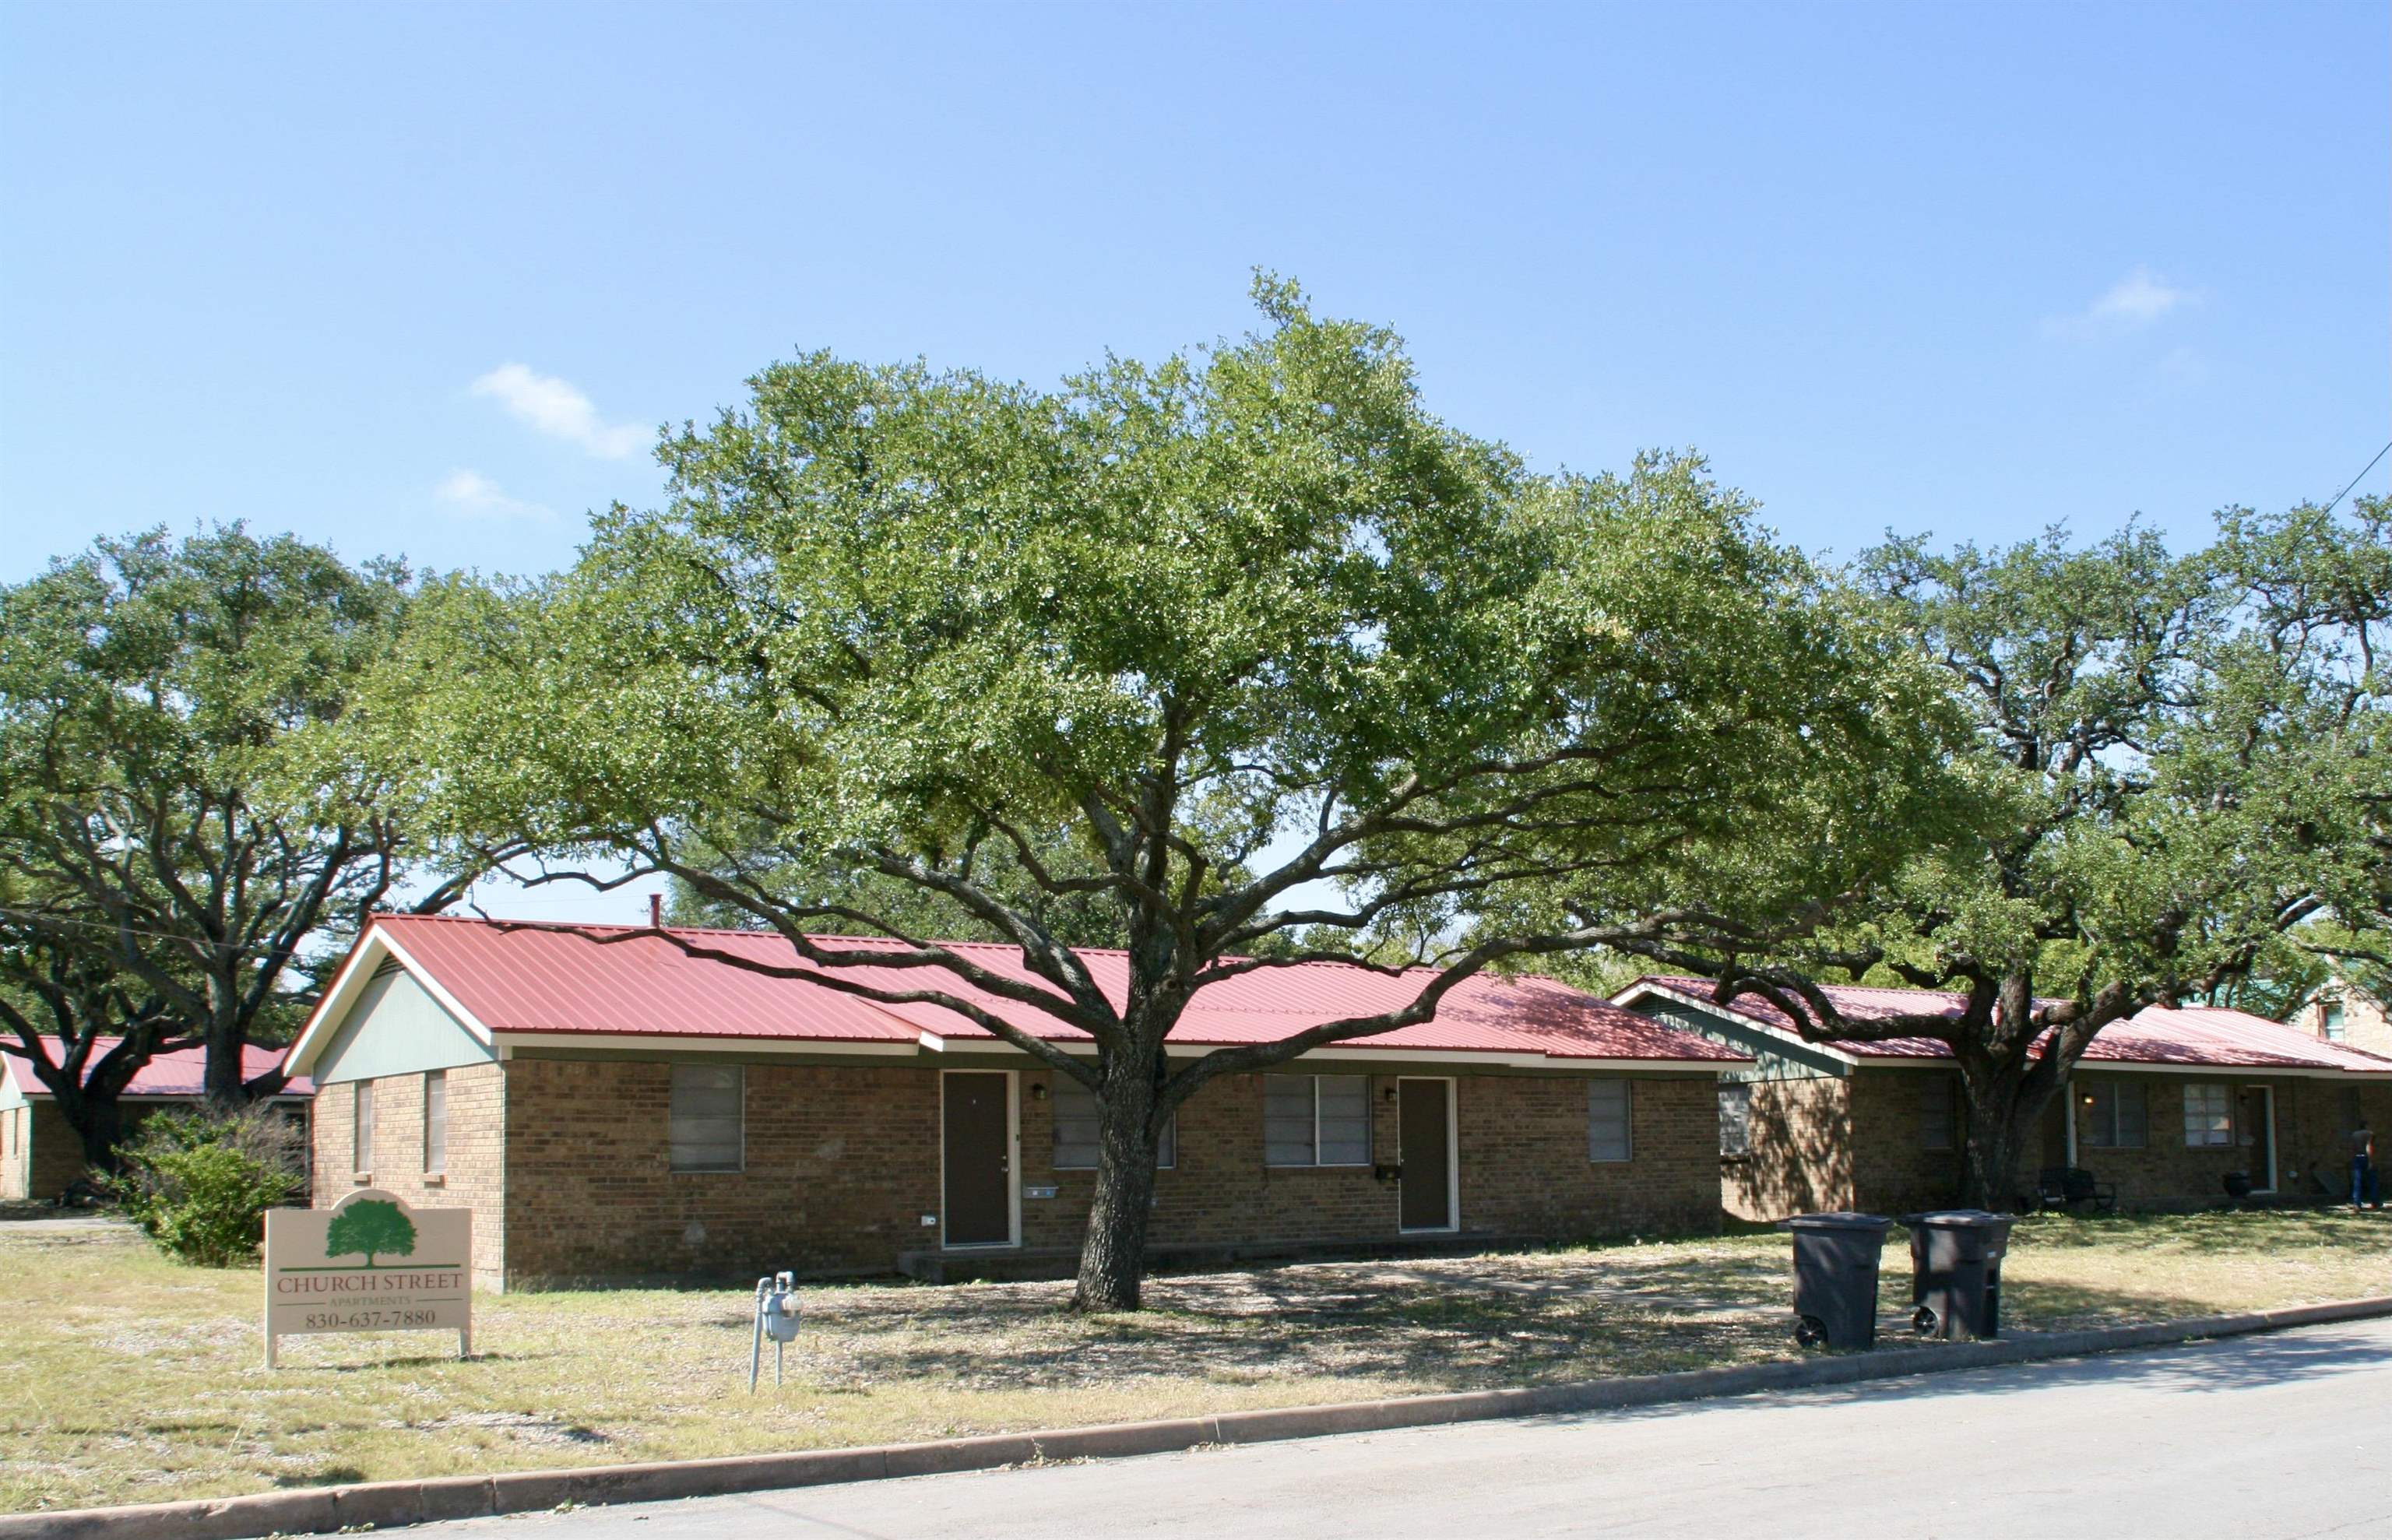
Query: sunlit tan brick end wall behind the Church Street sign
{"points": [[477, 1159]]}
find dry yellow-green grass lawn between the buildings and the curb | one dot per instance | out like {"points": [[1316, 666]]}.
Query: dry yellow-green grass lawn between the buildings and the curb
{"points": [[138, 1381]]}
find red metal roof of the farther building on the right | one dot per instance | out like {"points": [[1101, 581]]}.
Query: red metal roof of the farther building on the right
{"points": [[2195, 1037]]}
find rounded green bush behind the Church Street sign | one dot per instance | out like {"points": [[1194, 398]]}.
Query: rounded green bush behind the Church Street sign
{"points": [[202, 1185]]}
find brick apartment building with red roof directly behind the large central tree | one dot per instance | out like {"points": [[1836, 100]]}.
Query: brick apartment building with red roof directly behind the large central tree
{"points": [[618, 1108]]}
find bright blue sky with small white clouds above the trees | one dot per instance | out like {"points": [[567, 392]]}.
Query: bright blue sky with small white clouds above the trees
{"points": [[425, 279]]}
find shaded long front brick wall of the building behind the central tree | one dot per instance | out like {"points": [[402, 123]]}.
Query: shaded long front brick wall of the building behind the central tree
{"points": [[843, 1163]]}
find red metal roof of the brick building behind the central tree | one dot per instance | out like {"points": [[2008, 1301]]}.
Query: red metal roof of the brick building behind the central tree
{"points": [[520, 977]]}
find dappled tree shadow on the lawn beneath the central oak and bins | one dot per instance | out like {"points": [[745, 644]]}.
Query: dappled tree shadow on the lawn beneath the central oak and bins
{"points": [[1463, 1324]]}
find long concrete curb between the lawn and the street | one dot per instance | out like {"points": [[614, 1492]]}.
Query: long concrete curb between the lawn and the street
{"points": [[401, 1503]]}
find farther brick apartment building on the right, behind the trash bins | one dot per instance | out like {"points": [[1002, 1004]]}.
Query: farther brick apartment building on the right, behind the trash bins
{"points": [[2161, 1106]]}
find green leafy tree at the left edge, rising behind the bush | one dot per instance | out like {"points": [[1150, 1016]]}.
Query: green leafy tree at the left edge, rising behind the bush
{"points": [[183, 807]]}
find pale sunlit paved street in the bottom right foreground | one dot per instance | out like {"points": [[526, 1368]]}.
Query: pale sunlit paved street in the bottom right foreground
{"points": [[2264, 1436]]}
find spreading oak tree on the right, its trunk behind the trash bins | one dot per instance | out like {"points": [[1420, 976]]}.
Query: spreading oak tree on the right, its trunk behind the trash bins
{"points": [[2173, 771]]}
